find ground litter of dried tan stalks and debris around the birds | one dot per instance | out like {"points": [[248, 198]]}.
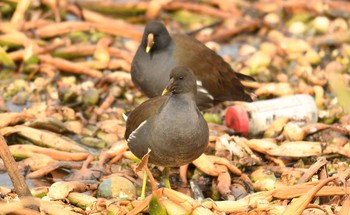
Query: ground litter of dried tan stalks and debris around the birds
{"points": [[65, 84]]}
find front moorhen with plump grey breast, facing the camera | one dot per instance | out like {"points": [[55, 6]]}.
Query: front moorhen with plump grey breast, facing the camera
{"points": [[170, 126]]}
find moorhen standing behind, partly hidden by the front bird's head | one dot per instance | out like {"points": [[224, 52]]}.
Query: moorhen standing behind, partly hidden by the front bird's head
{"points": [[159, 52]]}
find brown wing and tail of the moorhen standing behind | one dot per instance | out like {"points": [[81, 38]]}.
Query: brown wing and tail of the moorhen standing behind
{"points": [[218, 78]]}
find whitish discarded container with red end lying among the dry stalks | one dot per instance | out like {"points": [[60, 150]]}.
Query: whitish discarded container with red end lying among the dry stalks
{"points": [[255, 117]]}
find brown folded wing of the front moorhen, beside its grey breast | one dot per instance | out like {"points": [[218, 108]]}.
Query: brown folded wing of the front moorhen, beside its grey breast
{"points": [[143, 112]]}
